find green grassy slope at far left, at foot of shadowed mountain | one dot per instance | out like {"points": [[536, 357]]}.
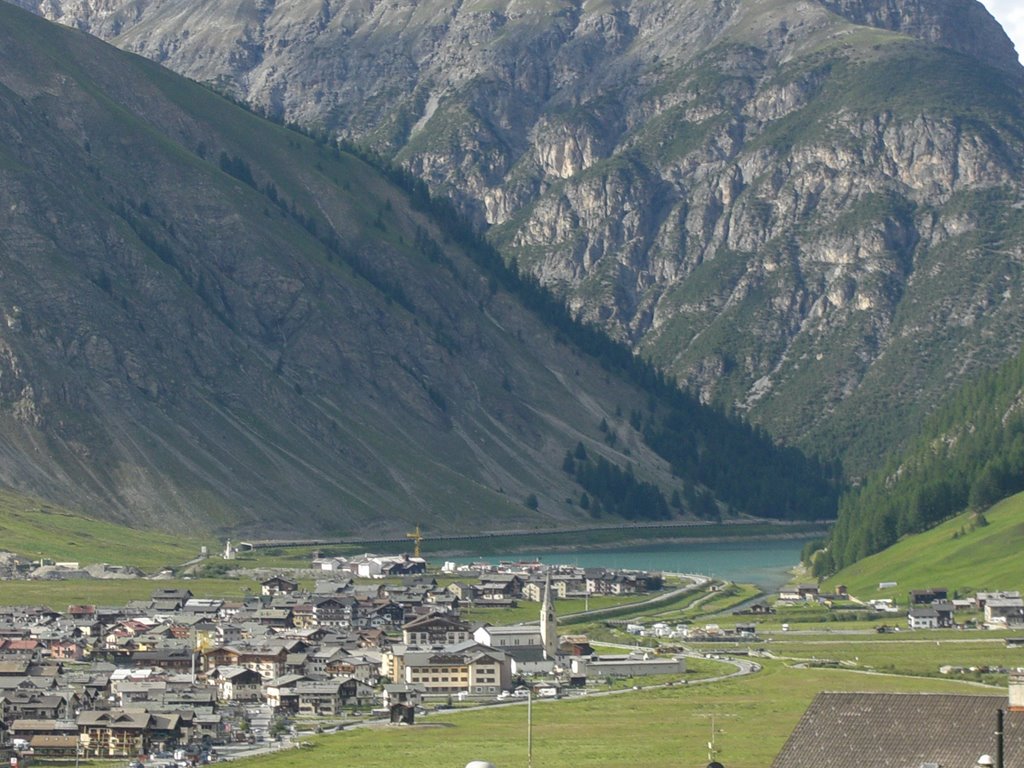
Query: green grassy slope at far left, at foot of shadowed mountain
{"points": [[37, 530]]}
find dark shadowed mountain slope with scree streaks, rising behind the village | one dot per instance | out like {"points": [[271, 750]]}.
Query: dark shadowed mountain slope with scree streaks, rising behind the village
{"points": [[212, 323]]}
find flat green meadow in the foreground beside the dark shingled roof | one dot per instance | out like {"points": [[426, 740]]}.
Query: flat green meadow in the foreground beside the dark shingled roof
{"points": [[668, 728]]}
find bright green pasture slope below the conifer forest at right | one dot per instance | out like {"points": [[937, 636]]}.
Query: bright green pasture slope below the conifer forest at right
{"points": [[959, 554]]}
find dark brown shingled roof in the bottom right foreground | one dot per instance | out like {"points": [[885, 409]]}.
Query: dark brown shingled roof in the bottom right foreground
{"points": [[902, 731]]}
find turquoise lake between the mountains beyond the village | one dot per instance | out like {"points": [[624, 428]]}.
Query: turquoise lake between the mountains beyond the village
{"points": [[766, 564]]}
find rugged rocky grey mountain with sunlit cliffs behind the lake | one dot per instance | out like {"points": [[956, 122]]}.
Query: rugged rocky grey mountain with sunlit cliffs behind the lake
{"points": [[806, 210]]}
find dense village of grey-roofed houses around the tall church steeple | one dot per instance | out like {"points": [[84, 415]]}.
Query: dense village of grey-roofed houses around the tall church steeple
{"points": [[185, 678]]}
